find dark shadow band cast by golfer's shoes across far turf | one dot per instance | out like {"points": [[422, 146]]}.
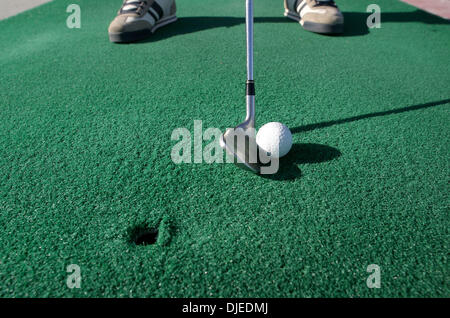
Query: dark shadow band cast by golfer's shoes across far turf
{"points": [[355, 23]]}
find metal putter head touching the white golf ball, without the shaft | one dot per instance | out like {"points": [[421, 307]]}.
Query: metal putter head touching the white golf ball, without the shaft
{"points": [[240, 142]]}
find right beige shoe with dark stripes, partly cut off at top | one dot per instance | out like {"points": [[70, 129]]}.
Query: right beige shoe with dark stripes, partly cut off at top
{"points": [[319, 16]]}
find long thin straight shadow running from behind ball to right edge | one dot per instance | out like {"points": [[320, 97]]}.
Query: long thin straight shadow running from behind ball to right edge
{"points": [[365, 116]]}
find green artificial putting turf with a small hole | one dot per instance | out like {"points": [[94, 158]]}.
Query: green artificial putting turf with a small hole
{"points": [[85, 162]]}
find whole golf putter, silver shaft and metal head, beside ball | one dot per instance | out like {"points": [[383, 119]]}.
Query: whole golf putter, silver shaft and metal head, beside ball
{"points": [[240, 141]]}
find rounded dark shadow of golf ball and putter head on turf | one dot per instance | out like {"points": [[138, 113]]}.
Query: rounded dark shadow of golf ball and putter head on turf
{"points": [[302, 154]]}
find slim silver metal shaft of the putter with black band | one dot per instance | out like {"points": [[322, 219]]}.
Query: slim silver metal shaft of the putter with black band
{"points": [[250, 118]]}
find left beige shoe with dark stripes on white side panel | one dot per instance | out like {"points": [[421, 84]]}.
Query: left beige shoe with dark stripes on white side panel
{"points": [[137, 20]]}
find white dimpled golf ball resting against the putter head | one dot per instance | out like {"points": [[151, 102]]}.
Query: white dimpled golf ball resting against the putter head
{"points": [[275, 139]]}
